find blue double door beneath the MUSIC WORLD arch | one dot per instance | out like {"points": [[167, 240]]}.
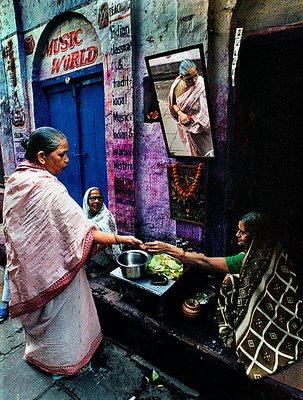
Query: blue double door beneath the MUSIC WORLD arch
{"points": [[77, 109]]}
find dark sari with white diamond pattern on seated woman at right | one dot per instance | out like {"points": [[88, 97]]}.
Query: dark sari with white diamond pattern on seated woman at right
{"points": [[259, 311]]}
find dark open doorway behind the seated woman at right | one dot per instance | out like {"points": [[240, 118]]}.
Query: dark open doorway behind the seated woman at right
{"points": [[267, 143]]}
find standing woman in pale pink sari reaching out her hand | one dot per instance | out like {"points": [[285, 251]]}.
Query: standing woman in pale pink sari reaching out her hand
{"points": [[48, 238]]}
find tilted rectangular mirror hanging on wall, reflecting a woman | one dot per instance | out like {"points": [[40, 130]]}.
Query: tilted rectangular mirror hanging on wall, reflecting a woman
{"points": [[180, 84]]}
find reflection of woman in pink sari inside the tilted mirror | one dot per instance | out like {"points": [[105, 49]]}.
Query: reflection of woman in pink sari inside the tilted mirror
{"points": [[188, 106]]}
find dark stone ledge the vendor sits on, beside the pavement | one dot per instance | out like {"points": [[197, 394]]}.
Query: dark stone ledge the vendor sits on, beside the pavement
{"points": [[211, 371]]}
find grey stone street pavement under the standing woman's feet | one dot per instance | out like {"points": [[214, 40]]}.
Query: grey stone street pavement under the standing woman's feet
{"points": [[117, 374]]}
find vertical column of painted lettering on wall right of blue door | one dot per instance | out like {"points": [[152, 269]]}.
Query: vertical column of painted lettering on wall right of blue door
{"points": [[120, 108]]}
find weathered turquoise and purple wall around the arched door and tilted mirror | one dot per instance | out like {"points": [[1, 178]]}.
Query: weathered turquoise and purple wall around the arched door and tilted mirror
{"points": [[154, 27]]}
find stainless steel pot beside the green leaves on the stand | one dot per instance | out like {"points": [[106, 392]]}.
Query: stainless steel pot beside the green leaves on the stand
{"points": [[132, 263]]}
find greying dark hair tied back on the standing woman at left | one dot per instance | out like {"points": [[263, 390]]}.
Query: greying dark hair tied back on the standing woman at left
{"points": [[44, 139]]}
